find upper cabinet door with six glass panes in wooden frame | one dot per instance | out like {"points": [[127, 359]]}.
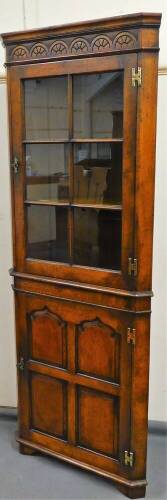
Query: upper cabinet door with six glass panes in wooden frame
{"points": [[73, 127]]}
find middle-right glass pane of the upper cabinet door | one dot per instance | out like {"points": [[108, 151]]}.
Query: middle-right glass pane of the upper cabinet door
{"points": [[98, 173]]}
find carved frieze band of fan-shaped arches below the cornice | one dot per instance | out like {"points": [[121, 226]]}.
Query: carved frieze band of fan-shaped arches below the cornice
{"points": [[73, 46]]}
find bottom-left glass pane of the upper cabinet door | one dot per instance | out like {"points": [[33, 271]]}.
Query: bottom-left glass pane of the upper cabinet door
{"points": [[47, 233]]}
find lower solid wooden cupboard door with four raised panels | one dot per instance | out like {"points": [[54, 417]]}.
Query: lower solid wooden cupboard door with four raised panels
{"points": [[74, 373]]}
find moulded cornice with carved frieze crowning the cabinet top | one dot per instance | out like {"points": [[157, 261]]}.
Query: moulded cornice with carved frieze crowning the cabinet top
{"points": [[108, 36]]}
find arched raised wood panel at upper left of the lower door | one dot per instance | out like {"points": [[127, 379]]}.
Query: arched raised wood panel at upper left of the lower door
{"points": [[47, 337]]}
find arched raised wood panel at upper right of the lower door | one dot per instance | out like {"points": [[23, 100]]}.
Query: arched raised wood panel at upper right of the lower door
{"points": [[98, 350]]}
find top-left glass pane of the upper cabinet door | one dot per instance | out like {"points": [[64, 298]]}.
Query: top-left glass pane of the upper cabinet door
{"points": [[46, 108]]}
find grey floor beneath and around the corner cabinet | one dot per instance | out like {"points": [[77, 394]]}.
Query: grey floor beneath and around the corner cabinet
{"points": [[43, 478]]}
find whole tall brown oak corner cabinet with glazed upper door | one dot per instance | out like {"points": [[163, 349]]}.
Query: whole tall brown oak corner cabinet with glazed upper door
{"points": [[82, 108]]}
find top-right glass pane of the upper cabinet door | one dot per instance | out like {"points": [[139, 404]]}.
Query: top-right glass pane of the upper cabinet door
{"points": [[98, 105]]}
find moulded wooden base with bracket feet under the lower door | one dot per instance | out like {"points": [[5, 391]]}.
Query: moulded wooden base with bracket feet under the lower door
{"points": [[131, 489]]}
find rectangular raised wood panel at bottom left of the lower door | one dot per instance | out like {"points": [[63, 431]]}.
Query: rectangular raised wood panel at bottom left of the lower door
{"points": [[48, 405]]}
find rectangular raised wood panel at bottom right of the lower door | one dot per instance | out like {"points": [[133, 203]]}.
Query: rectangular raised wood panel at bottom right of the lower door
{"points": [[98, 422]]}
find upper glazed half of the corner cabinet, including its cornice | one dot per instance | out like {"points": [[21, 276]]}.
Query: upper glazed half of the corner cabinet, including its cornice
{"points": [[83, 149]]}
